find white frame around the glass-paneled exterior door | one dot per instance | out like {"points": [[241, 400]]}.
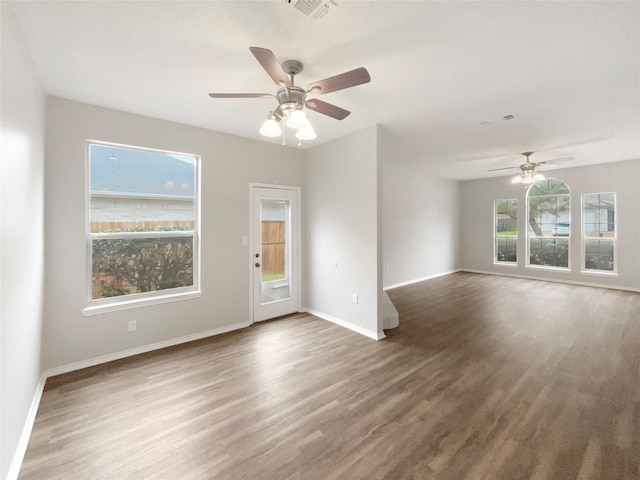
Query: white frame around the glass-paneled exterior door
{"points": [[296, 249]]}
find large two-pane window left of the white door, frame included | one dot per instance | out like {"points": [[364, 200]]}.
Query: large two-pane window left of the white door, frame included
{"points": [[142, 226]]}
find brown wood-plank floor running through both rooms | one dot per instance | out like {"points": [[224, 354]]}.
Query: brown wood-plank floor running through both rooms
{"points": [[486, 377]]}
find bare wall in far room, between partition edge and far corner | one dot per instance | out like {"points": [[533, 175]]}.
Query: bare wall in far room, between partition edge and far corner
{"points": [[421, 223]]}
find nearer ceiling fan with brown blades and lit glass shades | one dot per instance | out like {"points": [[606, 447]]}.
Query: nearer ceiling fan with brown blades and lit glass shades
{"points": [[293, 100]]}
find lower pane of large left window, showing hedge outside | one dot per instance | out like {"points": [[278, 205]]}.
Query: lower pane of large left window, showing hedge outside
{"points": [[127, 266]]}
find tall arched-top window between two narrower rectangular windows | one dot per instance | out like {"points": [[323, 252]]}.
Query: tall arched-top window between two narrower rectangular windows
{"points": [[549, 219]]}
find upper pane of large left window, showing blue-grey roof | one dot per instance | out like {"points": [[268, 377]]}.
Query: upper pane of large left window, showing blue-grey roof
{"points": [[140, 190]]}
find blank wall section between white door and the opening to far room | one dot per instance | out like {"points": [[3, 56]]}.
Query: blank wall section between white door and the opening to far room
{"points": [[342, 238]]}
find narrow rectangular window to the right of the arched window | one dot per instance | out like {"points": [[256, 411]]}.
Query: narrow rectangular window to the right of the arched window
{"points": [[599, 232]]}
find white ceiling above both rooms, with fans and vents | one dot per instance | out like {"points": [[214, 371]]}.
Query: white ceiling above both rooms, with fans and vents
{"points": [[568, 71]]}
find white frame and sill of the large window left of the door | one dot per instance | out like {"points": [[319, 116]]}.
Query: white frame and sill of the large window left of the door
{"points": [[123, 302]]}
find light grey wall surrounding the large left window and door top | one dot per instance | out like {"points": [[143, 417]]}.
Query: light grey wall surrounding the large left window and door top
{"points": [[229, 164]]}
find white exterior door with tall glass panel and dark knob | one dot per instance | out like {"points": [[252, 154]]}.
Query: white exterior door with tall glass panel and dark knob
{"points": [[274, 256]]}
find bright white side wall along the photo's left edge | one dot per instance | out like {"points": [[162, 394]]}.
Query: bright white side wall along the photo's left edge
{"points": [[21, 288]]}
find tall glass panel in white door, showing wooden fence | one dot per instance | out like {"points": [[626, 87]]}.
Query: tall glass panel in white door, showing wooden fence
{"points": [[274, 221]]}
